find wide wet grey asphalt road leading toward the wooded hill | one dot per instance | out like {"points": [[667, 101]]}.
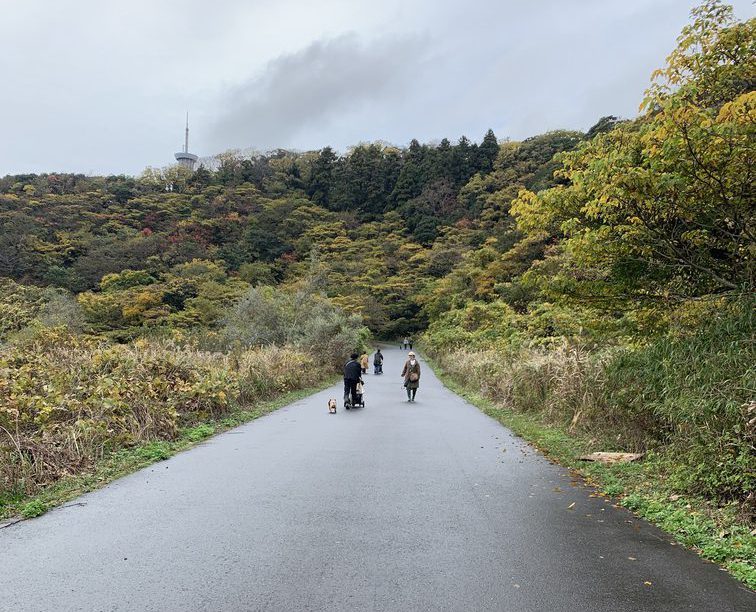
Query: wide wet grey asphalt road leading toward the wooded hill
{"points": [[425, 506]]}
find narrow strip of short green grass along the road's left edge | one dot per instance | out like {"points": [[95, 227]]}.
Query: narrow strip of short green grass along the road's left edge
{"points": [[16, 506]]}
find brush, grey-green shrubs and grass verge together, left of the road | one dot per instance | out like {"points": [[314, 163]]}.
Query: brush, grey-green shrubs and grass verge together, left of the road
{"points": [[77, 408]]}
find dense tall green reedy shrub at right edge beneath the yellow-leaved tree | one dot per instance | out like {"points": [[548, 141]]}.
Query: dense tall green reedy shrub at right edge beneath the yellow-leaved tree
{"points": [[697, 393]]}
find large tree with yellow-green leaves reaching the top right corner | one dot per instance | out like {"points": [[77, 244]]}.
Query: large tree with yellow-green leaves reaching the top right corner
{"points": [[663, 206]]}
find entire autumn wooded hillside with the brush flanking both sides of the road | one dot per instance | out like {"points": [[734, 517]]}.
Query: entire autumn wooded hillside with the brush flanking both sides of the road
{"points": [[601, 282]]}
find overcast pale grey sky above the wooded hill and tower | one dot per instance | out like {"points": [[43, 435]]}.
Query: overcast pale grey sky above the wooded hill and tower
{"points": [[99, 86]]}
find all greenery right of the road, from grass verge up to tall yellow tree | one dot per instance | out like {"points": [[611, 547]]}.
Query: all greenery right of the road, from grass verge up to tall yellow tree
{"points": [[632, 327]]}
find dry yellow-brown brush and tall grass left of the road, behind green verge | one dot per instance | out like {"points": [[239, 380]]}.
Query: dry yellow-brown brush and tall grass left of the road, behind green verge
{"points": [[67, 401]]}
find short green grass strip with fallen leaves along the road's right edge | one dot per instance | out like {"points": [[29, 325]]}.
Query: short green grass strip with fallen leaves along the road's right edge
{"points": [[716, 533]]}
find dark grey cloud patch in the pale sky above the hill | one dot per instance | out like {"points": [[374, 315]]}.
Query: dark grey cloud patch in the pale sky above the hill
{"points": [[313, 88]]}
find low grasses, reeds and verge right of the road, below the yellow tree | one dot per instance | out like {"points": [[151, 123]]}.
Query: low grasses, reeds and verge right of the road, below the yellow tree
{"points": [[682, 402]]}
